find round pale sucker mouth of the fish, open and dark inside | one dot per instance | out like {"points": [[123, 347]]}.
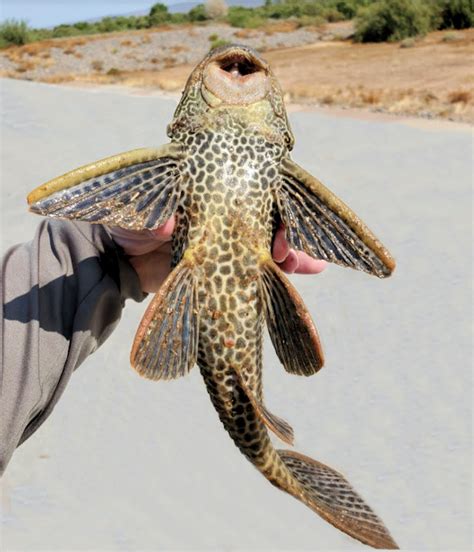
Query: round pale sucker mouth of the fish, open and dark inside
{"points": [[236, 75]]}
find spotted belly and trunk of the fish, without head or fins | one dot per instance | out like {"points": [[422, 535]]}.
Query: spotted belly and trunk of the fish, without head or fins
{"points": [[230, 217]]}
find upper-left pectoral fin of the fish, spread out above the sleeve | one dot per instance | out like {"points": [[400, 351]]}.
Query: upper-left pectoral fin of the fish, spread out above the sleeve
{"points": [[134, 190]]}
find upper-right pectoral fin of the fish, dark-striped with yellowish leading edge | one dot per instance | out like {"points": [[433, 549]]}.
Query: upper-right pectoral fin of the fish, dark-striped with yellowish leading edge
{"points": [[320, 224]]}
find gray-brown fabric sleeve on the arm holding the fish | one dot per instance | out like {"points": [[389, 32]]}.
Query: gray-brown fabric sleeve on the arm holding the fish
{"points": [[62, 296]]}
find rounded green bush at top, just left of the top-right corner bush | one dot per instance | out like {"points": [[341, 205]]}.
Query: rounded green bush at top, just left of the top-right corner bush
{"points": [[391, 20]]}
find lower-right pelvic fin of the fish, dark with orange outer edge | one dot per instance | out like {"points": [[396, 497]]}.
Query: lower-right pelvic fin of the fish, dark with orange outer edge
{"points": [[289, 323]]}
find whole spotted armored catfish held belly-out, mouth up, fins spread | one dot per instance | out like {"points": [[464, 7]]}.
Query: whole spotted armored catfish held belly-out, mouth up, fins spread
{"points": [[227, 177]]}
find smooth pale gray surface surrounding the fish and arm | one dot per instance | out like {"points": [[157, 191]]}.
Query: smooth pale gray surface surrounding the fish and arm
{"points": [[127, 464]]}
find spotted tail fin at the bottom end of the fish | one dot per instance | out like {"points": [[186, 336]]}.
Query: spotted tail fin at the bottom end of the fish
{"points": [[329, 494]]}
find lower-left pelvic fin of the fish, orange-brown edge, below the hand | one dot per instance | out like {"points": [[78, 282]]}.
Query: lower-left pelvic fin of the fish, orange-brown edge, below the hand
{"points": [[165, 345]]}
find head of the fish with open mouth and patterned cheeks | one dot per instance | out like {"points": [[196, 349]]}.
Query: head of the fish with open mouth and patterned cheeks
{"points": [[233, 79]]}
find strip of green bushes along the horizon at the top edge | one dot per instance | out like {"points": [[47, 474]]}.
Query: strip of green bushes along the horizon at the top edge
{"points": [[376, 20]]}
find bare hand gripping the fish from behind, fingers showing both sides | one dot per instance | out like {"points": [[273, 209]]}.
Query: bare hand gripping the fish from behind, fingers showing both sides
{"points": [[150, 254]]}
